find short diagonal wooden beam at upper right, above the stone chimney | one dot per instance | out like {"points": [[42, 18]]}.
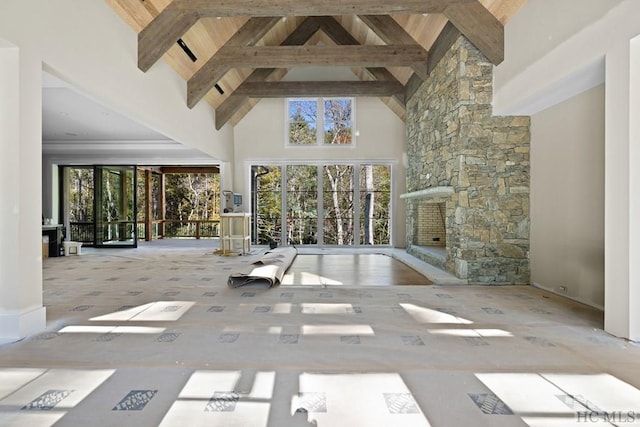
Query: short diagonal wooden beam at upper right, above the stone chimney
{"points": [[482, 29]]}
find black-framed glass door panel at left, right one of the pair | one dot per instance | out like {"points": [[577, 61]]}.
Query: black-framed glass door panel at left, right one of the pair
{"points": [[115, 206]]}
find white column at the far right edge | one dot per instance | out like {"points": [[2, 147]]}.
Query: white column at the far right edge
{"points": [[622, 189]]}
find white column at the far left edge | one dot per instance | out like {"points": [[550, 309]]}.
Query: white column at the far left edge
{"points": [[21, 310]]}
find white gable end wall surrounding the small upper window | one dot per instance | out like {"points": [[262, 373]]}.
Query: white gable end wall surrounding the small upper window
{"points": [[260, 137]]}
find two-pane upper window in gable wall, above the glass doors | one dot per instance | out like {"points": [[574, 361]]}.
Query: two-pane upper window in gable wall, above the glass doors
{"points": [[321, 121]]}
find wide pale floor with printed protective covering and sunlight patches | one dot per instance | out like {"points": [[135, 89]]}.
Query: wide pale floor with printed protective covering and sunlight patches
{"points": [[154, 336]]}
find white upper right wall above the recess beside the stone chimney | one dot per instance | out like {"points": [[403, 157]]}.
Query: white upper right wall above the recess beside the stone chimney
{"points": [[537, 72]]}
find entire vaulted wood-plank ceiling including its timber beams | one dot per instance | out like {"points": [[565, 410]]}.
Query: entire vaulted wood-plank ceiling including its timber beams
{"points": [[232, 53]]}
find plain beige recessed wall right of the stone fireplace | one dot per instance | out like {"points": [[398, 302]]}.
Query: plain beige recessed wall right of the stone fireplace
{"points": [[567, 197]]}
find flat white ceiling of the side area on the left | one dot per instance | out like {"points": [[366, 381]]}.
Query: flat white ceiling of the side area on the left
{"points": [[77, 129]]}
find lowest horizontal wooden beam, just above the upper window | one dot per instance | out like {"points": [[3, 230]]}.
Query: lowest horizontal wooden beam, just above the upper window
{"points": [[323, 88]]}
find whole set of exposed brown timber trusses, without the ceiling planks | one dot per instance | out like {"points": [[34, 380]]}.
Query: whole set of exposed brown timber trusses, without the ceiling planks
{"points": [[468, 17]]}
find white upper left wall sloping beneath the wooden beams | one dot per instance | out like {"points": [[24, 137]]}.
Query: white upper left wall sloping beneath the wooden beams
{"points": [[87, 45]]}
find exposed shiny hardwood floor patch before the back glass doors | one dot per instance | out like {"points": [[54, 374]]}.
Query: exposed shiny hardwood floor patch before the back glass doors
{"points": [[351, 270]]}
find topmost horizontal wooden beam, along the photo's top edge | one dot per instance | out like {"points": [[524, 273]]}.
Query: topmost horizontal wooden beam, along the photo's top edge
{"points": [[312, 7]]}
